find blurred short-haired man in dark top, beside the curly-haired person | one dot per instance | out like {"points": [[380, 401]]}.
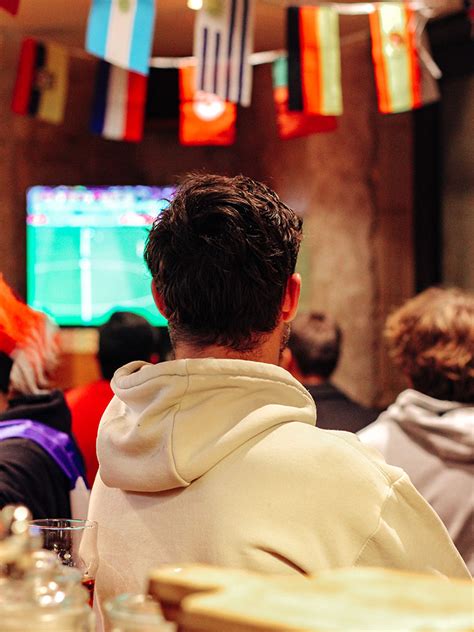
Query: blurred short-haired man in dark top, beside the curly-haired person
{"points": [[311, 357]]}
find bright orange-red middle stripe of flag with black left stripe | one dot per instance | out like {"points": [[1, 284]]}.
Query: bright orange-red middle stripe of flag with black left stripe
{"points": [[310, 62]]}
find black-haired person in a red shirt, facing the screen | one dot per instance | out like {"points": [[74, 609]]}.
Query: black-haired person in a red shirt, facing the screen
{"points": [[123, 338]]}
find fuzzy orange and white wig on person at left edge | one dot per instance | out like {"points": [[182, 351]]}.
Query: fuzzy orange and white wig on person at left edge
{"points": [[29, 346]]}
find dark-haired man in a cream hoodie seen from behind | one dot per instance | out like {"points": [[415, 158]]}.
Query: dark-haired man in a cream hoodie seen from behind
{"points": [[214, 457]]}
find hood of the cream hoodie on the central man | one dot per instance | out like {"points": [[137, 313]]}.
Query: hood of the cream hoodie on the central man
{"points": [[169, 423]]}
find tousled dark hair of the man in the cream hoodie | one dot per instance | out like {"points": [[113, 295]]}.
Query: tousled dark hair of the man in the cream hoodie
{"points": [[221, 255]]}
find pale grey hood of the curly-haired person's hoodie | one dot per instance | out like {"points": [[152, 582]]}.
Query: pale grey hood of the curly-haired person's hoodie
{"points": [[444, 428]]}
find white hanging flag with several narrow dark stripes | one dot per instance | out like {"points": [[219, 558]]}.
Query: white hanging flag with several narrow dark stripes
{"points": [[223, 41]]}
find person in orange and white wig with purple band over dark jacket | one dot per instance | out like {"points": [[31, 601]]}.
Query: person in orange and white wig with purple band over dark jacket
{"points": [[40, 464]]}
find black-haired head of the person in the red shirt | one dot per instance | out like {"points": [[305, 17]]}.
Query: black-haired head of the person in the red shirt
{"points": [[123, 338]]}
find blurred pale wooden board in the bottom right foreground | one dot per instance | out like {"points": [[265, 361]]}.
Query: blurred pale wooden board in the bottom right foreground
{"points": [[211, 599]]}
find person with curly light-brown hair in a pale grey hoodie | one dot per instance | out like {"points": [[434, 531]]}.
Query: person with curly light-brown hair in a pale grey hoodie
{"points": [[429, 429]]}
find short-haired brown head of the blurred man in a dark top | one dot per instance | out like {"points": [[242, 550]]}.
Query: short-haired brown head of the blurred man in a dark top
{"points": [[314, 342]]}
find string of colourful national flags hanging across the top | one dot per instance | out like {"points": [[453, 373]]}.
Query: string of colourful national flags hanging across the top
{"points": [[203, 92]]}
